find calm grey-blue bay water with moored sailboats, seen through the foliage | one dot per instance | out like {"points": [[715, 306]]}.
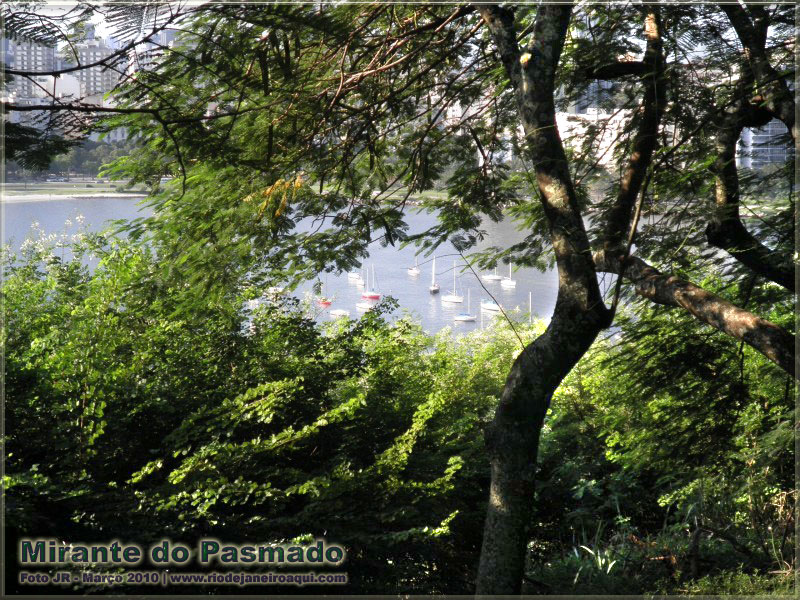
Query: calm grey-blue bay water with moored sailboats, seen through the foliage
{"points": [[390, 264]]}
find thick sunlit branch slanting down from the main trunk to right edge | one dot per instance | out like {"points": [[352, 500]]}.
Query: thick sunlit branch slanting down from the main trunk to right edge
{"points": [[772, 341]]}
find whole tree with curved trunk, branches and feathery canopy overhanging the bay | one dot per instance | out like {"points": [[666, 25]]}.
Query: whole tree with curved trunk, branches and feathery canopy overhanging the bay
{"points": [[298, 133]]}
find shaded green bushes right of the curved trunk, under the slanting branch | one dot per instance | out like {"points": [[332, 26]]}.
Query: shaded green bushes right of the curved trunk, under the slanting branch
{"points": [[680, 472]]}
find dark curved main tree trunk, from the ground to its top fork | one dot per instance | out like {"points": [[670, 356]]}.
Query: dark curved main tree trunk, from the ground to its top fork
{"points": [[513, 436]]}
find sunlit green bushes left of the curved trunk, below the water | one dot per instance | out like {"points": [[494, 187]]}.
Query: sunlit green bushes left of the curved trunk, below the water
{"points": [[127, 421]]}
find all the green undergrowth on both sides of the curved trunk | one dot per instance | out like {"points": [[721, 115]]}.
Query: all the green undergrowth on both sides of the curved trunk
{"points": [[137, 411]]}
